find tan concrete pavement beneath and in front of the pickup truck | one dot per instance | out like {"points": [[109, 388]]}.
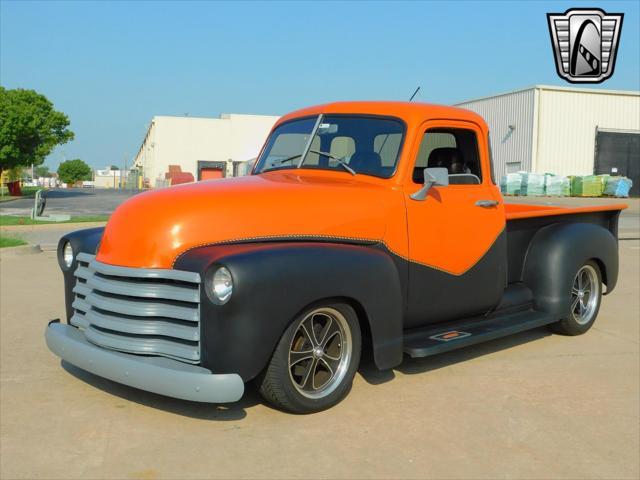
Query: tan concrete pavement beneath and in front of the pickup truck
{"points": [[534, 405]]}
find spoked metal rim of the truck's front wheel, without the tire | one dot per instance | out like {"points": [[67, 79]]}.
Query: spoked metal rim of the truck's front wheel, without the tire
{"points": [[320, 352]]}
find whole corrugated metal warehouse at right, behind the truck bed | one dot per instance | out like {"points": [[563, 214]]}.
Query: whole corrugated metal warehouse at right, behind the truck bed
{"points": [[566, 131]]}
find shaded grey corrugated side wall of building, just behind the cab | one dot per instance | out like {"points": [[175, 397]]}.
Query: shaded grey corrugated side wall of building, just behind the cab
{"points": [[512, 149]]}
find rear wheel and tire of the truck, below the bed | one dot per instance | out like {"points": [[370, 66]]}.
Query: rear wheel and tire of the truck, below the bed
{"points": [[586, 296]]}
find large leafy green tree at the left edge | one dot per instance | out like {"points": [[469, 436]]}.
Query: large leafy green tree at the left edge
{"points": [[30, 128]]}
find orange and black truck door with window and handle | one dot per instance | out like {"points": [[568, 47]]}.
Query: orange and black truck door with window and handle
{"points": [[457, 243]]}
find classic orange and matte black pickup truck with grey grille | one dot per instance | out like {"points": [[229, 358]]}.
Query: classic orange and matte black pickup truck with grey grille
{"points": [[363, 226]]}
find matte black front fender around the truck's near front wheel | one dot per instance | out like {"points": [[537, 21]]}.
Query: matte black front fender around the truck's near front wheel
{"points": [[274, 282]]}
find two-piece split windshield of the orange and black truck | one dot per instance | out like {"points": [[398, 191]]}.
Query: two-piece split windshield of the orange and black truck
{"points": [[347, 143]]}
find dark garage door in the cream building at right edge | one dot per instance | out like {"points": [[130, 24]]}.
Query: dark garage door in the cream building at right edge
{"points": [[618, 153]]}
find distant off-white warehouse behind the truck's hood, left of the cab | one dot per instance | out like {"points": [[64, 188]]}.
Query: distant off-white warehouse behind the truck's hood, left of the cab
{"points": [[200, 148]]}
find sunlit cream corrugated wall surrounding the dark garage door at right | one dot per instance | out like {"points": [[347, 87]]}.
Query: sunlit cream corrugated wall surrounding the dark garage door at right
{"points": [[568, 122]]}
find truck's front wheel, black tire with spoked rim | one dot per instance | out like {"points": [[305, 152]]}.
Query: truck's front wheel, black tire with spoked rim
{"points": [[280, 383]]}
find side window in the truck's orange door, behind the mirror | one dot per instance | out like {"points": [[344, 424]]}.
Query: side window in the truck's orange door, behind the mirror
{"points": [[455, 149]]}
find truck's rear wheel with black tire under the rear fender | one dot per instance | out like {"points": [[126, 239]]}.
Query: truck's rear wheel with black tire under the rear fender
{"points": [[575, 324]]}
